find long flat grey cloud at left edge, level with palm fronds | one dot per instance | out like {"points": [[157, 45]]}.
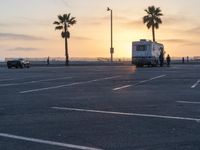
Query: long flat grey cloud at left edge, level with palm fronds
{"points": [[11, 36]]}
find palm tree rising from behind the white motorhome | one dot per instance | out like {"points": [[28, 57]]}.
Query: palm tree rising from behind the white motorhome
{"points": [[152, 19]]}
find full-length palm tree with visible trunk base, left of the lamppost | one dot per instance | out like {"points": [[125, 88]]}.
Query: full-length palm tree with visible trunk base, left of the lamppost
{"points": [[63, 23]]}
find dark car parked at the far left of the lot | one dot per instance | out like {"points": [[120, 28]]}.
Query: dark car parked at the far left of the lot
{"points": [[18, 63]]}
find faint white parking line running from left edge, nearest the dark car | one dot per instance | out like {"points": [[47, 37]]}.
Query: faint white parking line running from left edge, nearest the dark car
{"points": [[34, 81]]}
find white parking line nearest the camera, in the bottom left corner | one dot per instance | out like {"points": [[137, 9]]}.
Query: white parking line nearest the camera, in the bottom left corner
{"points": [[34, 140]]}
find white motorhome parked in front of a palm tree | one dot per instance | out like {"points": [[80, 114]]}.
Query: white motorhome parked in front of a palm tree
{"points": [[146, 52]]}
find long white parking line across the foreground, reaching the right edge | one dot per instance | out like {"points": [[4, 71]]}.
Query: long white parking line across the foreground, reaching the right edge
{"points": [[127, 114]]}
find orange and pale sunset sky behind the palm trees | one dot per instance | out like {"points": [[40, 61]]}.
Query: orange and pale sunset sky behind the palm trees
{"points": [[27, 30]]}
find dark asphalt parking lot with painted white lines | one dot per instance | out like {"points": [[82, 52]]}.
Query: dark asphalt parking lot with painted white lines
{"points": [[100, 107]]}
